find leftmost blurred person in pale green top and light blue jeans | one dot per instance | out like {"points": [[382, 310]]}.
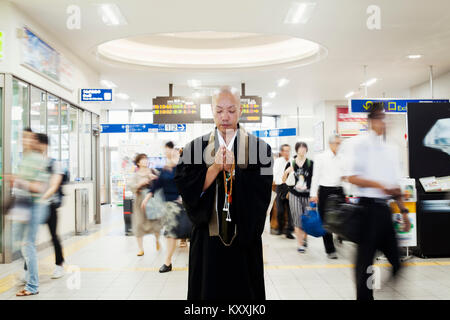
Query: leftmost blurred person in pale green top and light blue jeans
{"points": [[28, 185]]}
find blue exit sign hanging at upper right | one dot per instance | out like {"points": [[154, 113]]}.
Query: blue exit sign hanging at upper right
{"points": [[390, 105]]}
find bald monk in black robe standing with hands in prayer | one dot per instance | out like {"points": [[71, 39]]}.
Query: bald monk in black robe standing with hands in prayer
{"points": [[225, 179]]}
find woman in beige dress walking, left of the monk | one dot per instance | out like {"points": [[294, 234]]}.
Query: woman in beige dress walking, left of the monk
{"points": [[138, 184]]}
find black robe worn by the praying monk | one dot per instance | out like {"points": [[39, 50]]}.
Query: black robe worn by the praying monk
{"points": [[217, 271]]}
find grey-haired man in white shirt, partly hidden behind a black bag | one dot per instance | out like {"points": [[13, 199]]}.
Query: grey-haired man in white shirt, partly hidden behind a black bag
{"points": [[327, 181]]}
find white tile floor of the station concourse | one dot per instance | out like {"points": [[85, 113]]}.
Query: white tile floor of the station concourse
{"points": [[110, 269]]}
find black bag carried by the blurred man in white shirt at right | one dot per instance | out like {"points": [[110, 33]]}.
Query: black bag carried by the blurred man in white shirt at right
{"points": [[343, 219]]}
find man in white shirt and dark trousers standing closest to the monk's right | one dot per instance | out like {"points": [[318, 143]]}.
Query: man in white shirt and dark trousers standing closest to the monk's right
{"points": [[282, 190]]}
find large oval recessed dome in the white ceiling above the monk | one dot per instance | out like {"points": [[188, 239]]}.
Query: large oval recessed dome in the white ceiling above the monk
{"points": [[211, 50]]}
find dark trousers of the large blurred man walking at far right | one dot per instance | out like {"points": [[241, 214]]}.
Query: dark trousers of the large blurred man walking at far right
{"points": [[378, 234]]}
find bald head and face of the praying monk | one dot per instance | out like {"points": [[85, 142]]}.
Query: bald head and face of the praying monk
{"points": [[227, 112]]}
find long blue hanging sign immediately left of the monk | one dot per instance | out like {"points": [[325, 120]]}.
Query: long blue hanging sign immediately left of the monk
{"points": [[142, 127]]}
